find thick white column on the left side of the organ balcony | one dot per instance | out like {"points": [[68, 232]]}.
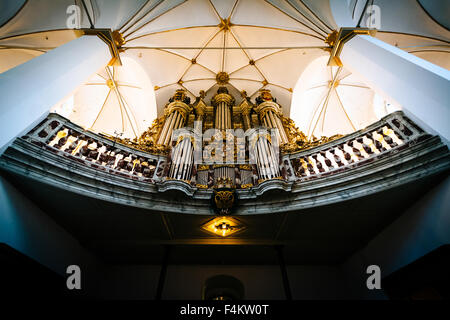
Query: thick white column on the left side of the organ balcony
{"points": [[29, 90]]}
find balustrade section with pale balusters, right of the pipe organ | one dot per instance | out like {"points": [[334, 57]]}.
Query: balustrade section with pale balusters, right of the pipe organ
{"points": [[391, 134]]}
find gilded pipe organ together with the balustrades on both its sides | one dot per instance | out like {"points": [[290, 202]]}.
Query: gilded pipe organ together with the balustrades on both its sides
{"points": [[224, 144]]}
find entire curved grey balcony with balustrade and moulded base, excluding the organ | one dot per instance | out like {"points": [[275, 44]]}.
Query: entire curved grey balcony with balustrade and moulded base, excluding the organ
{"points": [[388, 153]]}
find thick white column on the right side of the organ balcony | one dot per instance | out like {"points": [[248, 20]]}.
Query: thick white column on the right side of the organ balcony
{"points": [[420, 87]]}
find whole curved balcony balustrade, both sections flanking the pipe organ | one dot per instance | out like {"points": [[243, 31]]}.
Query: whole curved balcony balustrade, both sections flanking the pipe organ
{"points": [[390, 135]]}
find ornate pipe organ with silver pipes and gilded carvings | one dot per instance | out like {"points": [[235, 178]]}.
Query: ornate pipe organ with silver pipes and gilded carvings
{"points": [[244, 144]]}
